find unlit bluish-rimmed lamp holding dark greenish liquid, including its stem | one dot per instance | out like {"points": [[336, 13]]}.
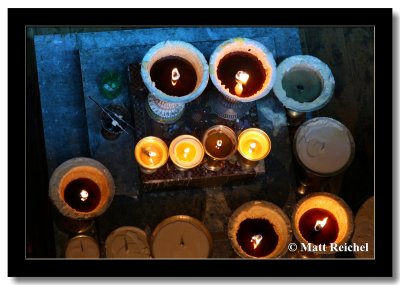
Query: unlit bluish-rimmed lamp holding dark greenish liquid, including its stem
{"points": [[303, 84]]}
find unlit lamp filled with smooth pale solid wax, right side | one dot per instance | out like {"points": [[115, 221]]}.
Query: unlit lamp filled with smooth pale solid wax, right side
{"points": [[324, 145]]}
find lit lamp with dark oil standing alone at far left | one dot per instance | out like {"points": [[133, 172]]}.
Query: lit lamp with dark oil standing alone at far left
{"points": [[81, 188]]}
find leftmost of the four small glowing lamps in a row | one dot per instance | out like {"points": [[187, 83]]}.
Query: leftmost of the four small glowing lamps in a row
{"points": [[151, 153]]}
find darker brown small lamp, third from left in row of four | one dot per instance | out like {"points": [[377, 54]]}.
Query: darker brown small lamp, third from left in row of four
{"points": [[220, 143]]}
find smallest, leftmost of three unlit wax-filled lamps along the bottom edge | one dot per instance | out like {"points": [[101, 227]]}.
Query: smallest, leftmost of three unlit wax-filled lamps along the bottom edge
{"points": [[82, 246]]}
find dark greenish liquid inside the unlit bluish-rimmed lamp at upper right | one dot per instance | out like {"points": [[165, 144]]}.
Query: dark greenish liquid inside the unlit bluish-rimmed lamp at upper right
{"points": [[302, 85]]}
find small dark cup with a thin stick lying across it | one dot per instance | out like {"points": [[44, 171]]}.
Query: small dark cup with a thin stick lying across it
{"points": [[111, 124]]}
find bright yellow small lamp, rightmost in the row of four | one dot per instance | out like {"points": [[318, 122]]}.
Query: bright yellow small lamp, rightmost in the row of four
{"points": [[253, 146]]}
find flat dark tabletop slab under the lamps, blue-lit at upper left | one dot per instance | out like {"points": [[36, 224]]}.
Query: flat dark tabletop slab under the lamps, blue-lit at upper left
{"points": [[64, 117]]}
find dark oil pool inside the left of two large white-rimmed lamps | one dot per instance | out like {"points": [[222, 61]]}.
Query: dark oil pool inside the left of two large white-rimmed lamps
{"points": [[161, 74]]}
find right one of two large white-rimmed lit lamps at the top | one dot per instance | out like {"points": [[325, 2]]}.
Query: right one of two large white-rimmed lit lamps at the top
{"points": [[243, 71]]}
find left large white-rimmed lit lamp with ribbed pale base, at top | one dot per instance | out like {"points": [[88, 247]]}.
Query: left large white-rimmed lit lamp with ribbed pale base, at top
{"points": [[175, 73]]}
